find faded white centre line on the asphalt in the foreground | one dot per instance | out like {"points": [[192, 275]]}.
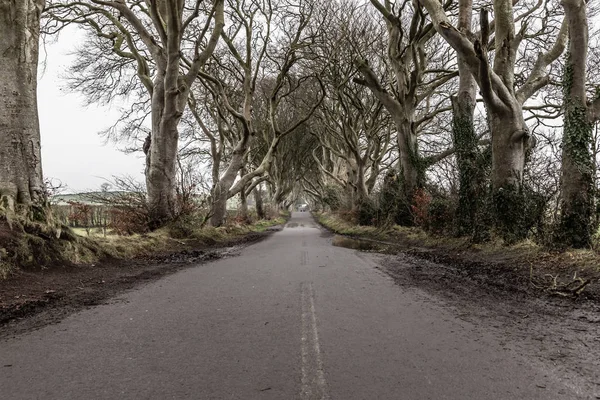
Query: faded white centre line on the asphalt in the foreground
{"points": [[314, 386]]}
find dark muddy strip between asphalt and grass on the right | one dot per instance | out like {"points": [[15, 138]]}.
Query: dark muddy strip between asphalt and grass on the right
{"points": [[560, 333]]}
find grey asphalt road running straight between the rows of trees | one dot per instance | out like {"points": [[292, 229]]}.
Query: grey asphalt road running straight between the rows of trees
{"points": [[292, 317]]}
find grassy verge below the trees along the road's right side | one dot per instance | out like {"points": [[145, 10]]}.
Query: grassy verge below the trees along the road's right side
{"points": [[568, 273]]}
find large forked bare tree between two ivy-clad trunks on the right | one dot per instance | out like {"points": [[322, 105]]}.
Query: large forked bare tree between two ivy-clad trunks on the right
{"points": [[510, 135]]}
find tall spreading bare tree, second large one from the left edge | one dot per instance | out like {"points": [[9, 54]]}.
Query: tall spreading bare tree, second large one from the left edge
{"points": [[168, 46]]}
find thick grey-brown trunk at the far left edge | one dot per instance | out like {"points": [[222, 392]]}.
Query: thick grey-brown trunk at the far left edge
{"points": [[21, 180]]}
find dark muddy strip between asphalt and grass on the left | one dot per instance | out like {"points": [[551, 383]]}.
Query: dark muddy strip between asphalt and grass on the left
{"points": [[31, 299]]}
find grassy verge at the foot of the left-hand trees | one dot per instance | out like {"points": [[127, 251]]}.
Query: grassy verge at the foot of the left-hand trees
{"points": [[29, 245]]}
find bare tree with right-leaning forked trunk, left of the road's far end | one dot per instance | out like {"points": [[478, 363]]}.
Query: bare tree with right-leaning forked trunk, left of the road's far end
{"points": [[257, 63]]}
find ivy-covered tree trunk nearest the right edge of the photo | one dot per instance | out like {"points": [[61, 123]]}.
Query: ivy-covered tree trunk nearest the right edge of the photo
{"points": [[577, 180]]}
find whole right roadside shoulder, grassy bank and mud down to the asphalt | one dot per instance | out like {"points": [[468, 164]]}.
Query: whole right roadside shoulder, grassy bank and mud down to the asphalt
{"points": [[510, 291]]}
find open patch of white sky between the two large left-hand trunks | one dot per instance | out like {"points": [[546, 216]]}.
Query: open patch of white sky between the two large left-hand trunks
{"points": [[72, 150]]}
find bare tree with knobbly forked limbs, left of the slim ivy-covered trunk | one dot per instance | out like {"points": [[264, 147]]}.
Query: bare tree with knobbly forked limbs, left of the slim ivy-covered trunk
{"points": [[409, 54]]}
